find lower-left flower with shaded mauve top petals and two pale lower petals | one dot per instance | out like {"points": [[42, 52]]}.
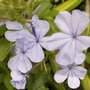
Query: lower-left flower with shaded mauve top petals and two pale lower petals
{"points": [[21, 61]]}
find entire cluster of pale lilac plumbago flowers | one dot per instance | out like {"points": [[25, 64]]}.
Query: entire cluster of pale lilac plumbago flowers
{"points": [[30, 41]]}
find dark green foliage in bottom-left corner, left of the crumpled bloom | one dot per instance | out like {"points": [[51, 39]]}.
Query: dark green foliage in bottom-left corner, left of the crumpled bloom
{"points": [[5, 76]]}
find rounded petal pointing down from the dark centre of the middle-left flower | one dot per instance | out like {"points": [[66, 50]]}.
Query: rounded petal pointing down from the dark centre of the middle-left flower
{"points": [[35, 53]]}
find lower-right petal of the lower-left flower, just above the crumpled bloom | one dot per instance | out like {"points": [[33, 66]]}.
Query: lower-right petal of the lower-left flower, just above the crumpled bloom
{"points": [[24, 64]]}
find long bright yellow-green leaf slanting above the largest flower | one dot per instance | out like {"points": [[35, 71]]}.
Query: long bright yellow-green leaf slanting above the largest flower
{"points": [[67, 5]]}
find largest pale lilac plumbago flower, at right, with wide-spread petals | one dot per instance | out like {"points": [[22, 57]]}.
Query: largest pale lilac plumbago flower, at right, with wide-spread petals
{"points": [[69, 41]]}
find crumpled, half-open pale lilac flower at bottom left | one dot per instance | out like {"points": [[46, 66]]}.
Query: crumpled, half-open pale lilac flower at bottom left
{"points": [[18, 80]]}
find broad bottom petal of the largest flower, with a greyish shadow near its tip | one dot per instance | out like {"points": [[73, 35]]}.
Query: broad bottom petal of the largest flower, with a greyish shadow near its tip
{"points": [[67, 53]]}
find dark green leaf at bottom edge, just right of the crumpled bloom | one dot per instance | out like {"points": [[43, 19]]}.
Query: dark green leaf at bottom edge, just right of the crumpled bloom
{"points": [[36, 80]]}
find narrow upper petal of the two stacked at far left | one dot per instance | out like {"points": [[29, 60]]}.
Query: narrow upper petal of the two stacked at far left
{"points": [[14, 26]]}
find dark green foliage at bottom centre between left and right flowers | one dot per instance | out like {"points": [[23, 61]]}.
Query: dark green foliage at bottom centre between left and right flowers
{"points": [[40, 79]]}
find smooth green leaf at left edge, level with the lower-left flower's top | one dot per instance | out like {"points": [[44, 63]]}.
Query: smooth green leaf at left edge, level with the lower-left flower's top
{"points": [[4, 48]]}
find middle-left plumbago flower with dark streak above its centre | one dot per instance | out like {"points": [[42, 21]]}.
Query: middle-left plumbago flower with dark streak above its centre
{"points": [[38, 29]]}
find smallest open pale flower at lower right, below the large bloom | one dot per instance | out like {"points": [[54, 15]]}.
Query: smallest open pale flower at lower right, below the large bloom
{"points": [[73, 73]]}
